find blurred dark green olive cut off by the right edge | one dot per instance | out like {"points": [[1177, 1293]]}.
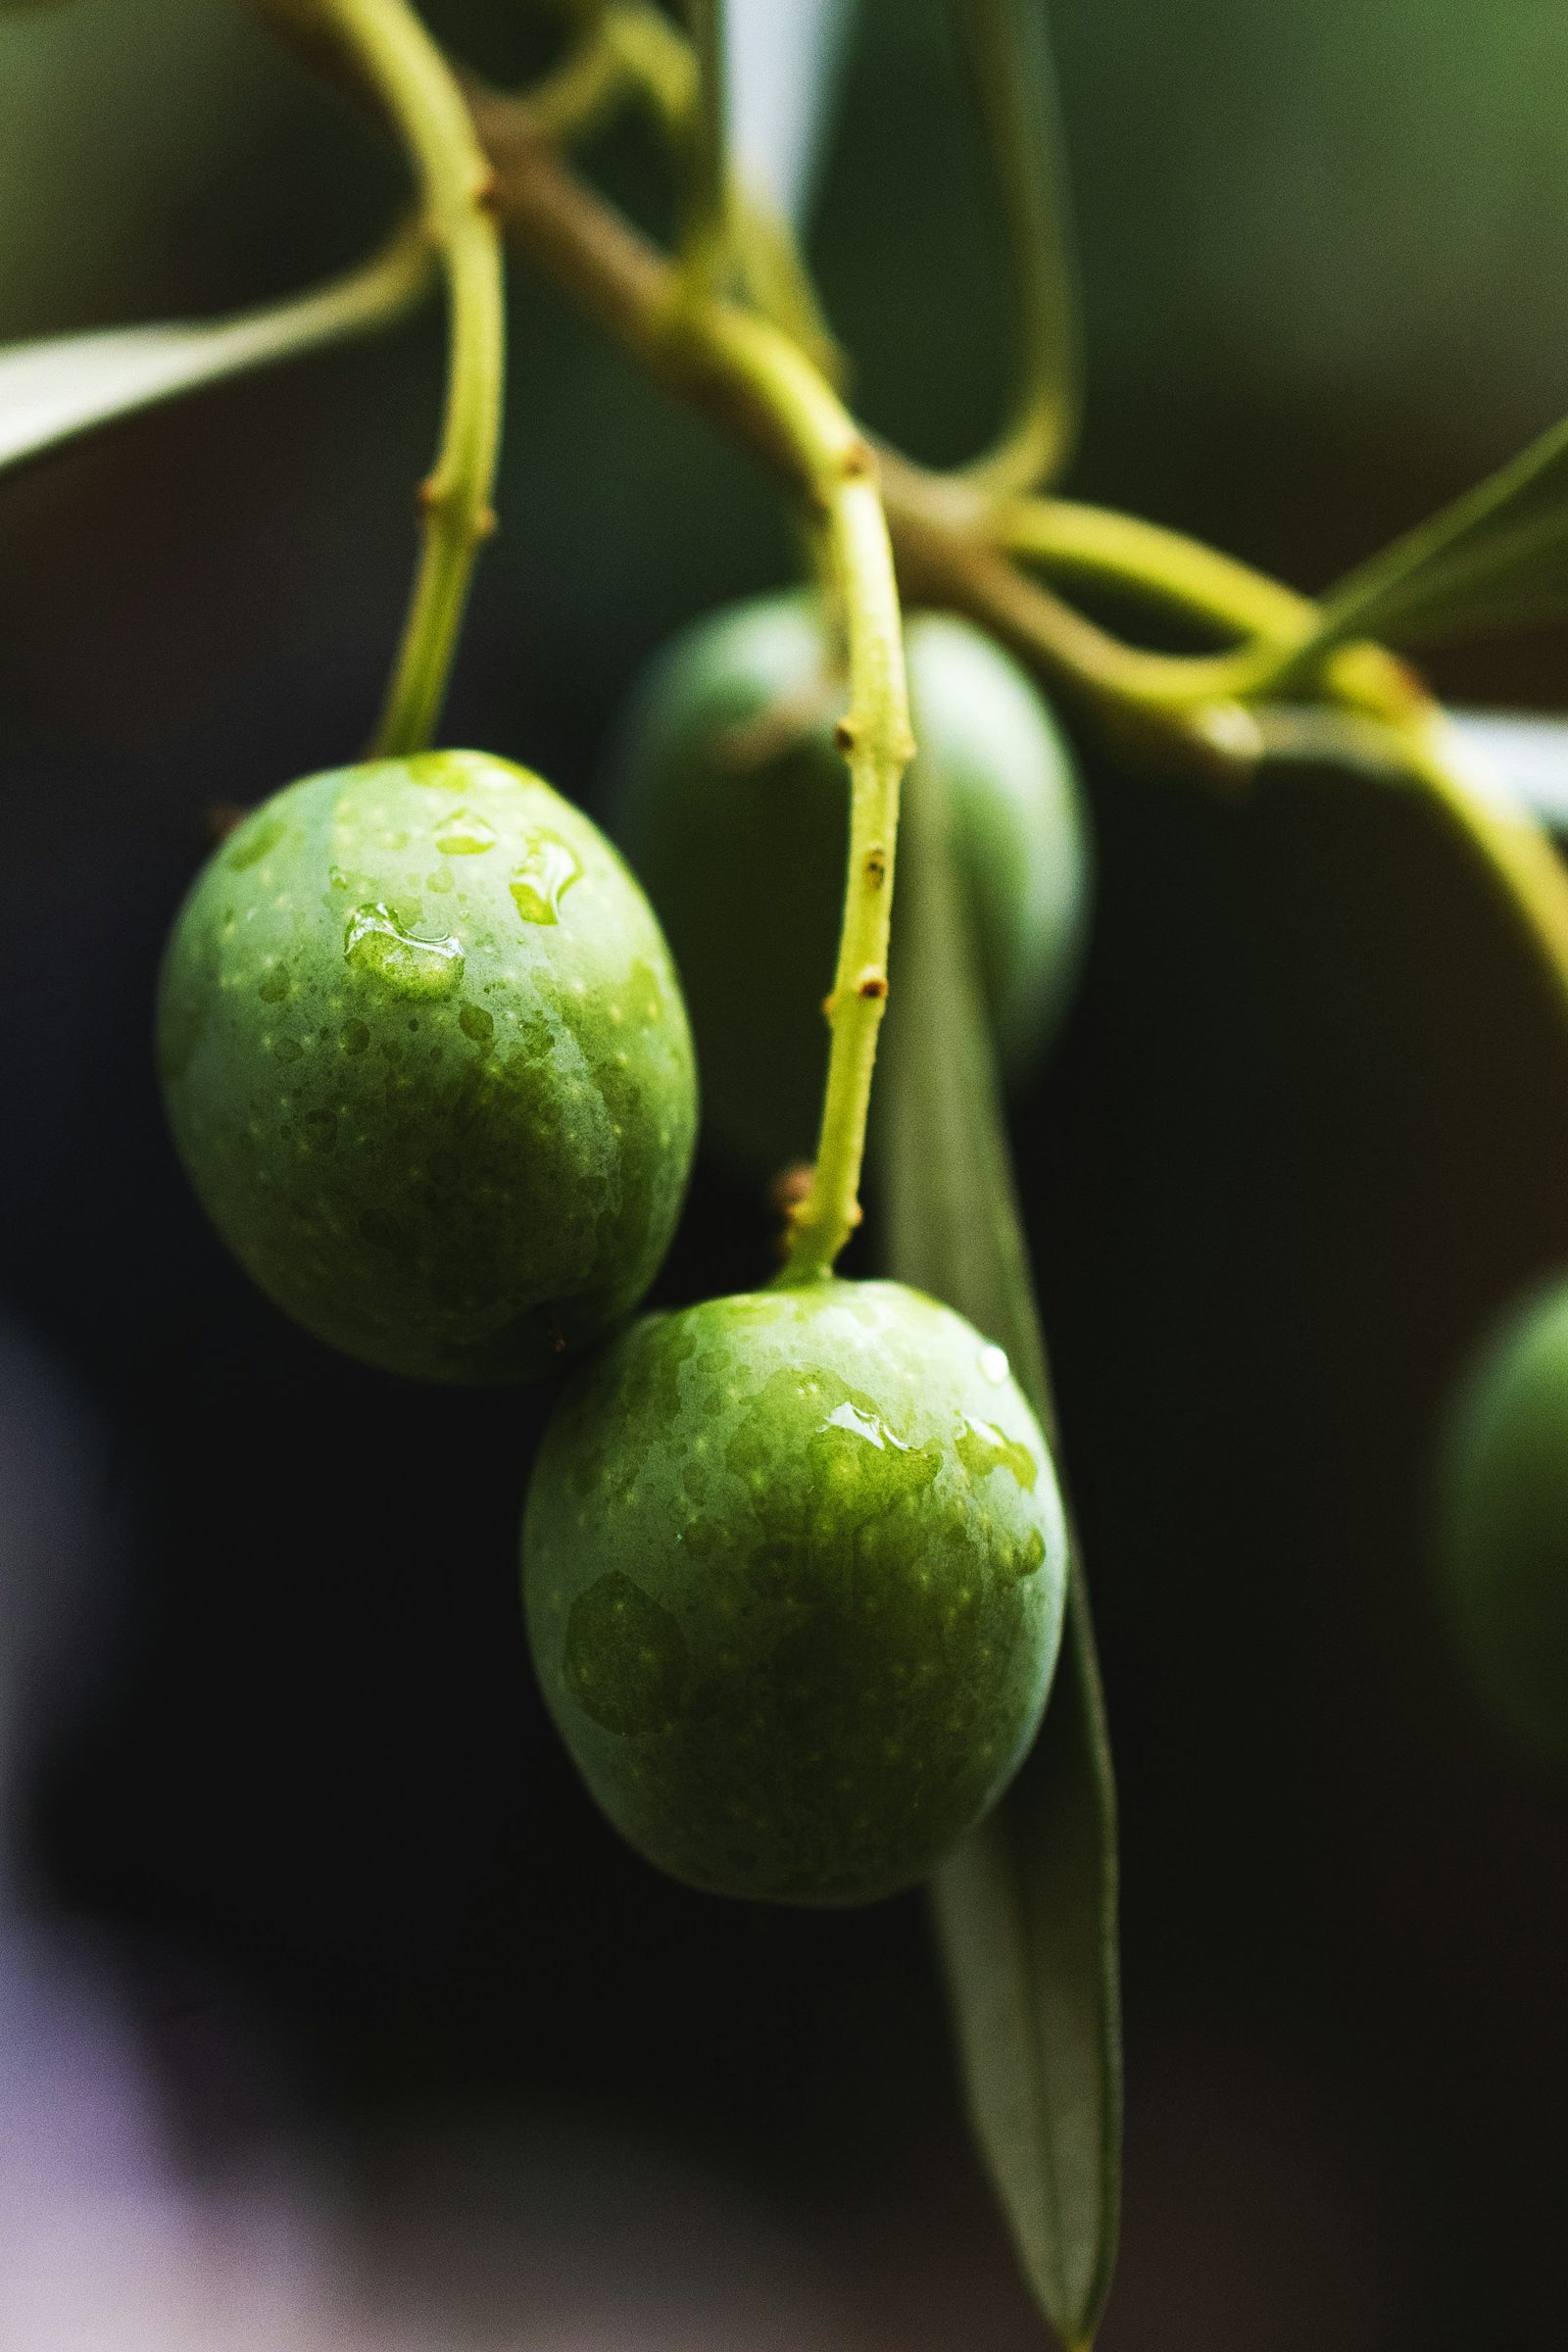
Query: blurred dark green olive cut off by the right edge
{"points": [[1506, 1523]]}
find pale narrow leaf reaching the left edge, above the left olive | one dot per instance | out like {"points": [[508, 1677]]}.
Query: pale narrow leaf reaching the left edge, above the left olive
{"points": [[67, 385]]}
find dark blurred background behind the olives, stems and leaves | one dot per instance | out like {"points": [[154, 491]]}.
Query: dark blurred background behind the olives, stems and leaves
{"points": [[293, 1786]]}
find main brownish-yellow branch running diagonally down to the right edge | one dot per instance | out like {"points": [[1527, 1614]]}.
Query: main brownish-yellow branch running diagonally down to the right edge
{"points": [[956, 552]]}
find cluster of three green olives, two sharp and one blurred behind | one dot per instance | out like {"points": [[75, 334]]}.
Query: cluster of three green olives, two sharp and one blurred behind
{"points": [[793, 1561]]}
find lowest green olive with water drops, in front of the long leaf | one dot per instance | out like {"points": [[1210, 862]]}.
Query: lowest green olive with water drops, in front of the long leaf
{"points": [[793, 1575]]}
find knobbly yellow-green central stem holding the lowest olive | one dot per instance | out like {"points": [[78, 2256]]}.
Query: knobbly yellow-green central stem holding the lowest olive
{"points": [[831, 457]]}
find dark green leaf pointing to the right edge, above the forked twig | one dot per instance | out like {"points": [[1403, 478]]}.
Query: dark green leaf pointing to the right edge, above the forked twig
{"points": [[1494, 559]]}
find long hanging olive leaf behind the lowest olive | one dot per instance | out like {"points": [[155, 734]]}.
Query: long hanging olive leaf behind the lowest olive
{"points": [[1026, 1909]]}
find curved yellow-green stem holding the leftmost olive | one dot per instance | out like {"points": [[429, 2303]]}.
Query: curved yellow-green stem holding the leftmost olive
{"points": [[420, 93]]}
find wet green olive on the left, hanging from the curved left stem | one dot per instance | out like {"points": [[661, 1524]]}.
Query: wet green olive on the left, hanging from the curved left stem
{"points": [[429, 1069]]}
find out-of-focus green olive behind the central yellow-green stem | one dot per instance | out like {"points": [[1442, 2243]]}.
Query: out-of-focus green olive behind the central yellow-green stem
{"points": [[732, 803]]}
